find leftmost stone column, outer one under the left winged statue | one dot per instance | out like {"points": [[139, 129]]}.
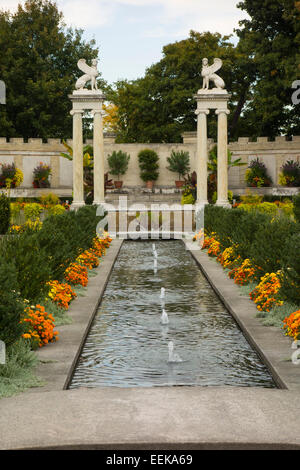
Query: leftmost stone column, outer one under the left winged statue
{"points": [[78, 193]]}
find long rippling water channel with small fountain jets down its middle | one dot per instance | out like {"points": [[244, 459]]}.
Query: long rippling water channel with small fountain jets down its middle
{"points": [[128, 346]]}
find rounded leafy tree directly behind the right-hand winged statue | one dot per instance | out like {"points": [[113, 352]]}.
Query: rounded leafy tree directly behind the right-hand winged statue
{"points": [[160, 106]]}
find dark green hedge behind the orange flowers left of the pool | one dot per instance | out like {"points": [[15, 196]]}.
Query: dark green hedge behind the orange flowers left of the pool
{"points": [[44, 255]]}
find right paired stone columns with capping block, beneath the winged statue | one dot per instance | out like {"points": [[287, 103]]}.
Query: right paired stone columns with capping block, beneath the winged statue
{"points": [[212, 99]]}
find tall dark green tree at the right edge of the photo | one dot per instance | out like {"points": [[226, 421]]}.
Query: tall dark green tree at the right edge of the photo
{"points": [[271, 38]]}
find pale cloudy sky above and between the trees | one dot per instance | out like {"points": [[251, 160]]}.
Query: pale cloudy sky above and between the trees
{"points": [[131, 33]]}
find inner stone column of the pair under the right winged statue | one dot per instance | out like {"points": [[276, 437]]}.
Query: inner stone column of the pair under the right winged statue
{"points": [[202, 156]]}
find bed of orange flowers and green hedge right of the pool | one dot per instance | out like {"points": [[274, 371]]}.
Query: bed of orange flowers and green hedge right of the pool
{"points": [[244, 232]]}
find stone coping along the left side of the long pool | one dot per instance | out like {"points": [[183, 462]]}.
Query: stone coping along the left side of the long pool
{"points": [[58, 360]]}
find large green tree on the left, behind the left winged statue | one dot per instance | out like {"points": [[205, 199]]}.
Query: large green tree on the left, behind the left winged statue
{"points": [[38, 64]]}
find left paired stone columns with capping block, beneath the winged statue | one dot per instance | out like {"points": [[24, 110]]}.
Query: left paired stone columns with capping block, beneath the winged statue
{"points": [[87, 100]]}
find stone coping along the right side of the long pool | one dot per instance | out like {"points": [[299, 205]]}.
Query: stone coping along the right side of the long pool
{"points": [[272, 345]]}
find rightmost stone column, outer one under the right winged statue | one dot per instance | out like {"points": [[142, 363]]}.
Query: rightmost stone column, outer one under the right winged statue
{"points": [[222, 158]]}
